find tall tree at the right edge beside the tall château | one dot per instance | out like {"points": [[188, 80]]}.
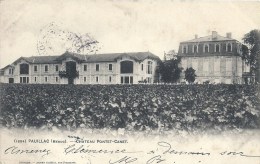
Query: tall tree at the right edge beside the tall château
{"points": [[251, 52]]}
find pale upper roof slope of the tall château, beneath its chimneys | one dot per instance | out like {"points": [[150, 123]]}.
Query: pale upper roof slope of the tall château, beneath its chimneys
{"points": [[209, 38]]}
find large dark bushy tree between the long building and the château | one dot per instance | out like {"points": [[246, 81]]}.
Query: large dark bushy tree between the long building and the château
{"points": [[170, 70]]}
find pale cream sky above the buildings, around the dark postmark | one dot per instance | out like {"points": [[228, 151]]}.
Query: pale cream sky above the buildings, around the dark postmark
{"points": [[120, 26]]}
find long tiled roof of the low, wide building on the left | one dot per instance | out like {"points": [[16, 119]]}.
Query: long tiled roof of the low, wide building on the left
{"points": [[109, 57]]}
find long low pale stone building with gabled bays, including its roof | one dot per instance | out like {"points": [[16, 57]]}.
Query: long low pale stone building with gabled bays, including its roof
{"points": [[71, 68]]}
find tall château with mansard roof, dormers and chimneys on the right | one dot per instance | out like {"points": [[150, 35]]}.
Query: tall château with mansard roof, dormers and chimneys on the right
{"points": [[215, 58]]}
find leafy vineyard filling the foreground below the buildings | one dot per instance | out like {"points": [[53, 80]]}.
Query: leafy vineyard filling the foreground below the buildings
{"points": [[130, 107]]}
